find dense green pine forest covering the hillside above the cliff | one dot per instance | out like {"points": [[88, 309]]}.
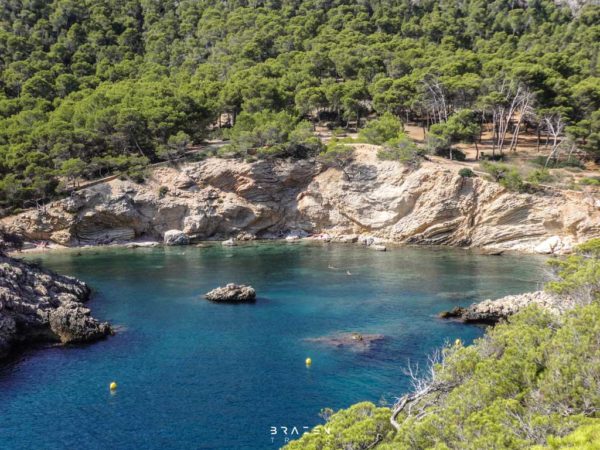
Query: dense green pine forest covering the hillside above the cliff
{"points": [[89, 88]]}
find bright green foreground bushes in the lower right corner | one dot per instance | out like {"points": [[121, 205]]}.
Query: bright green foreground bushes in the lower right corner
{"points": [[532, 381]]}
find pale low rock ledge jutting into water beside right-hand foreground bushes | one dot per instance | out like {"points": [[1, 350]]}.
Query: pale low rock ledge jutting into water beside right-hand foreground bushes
{"points": [[493, 311]]}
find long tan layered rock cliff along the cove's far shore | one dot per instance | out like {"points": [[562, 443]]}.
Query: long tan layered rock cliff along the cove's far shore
{"points": [[218, 199]]}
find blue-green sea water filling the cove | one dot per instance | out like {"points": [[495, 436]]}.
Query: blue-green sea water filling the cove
{"points": [[193, 374]]}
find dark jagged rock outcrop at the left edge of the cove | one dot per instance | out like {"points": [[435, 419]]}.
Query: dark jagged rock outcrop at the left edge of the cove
{"points": [[37, 305]]}
